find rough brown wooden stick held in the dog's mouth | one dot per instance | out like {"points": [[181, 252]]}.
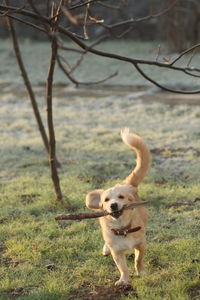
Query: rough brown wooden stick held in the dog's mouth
{"points": [[82, 216]]}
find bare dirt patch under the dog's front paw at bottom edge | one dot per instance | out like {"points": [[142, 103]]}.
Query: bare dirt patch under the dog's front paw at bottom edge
{"points": [[102, 292]]}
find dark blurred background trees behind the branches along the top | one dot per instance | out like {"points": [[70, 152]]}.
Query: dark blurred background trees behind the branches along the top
{"points": [[180, 27]]}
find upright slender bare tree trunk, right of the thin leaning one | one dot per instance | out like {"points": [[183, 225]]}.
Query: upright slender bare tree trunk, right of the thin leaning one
{"points": [[52, 140]]}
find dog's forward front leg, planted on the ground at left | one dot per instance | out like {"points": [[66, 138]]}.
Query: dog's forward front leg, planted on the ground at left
{"points": [[120, 260]]}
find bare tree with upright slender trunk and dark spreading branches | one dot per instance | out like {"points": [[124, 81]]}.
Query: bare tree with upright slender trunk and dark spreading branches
{"points": [[81, 18]]}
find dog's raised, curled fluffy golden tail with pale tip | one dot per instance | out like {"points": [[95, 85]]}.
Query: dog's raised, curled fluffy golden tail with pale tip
{"points": [[143, 157]]}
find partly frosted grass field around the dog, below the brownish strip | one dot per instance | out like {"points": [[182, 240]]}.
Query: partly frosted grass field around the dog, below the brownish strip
{"points": [[43, 259]]}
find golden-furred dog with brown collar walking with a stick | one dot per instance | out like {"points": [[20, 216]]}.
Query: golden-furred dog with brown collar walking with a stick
{"points": [[123, 231]]}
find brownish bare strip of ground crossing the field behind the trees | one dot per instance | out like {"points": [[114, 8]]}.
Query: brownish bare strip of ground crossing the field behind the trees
{"points": [[145, 94]]}
